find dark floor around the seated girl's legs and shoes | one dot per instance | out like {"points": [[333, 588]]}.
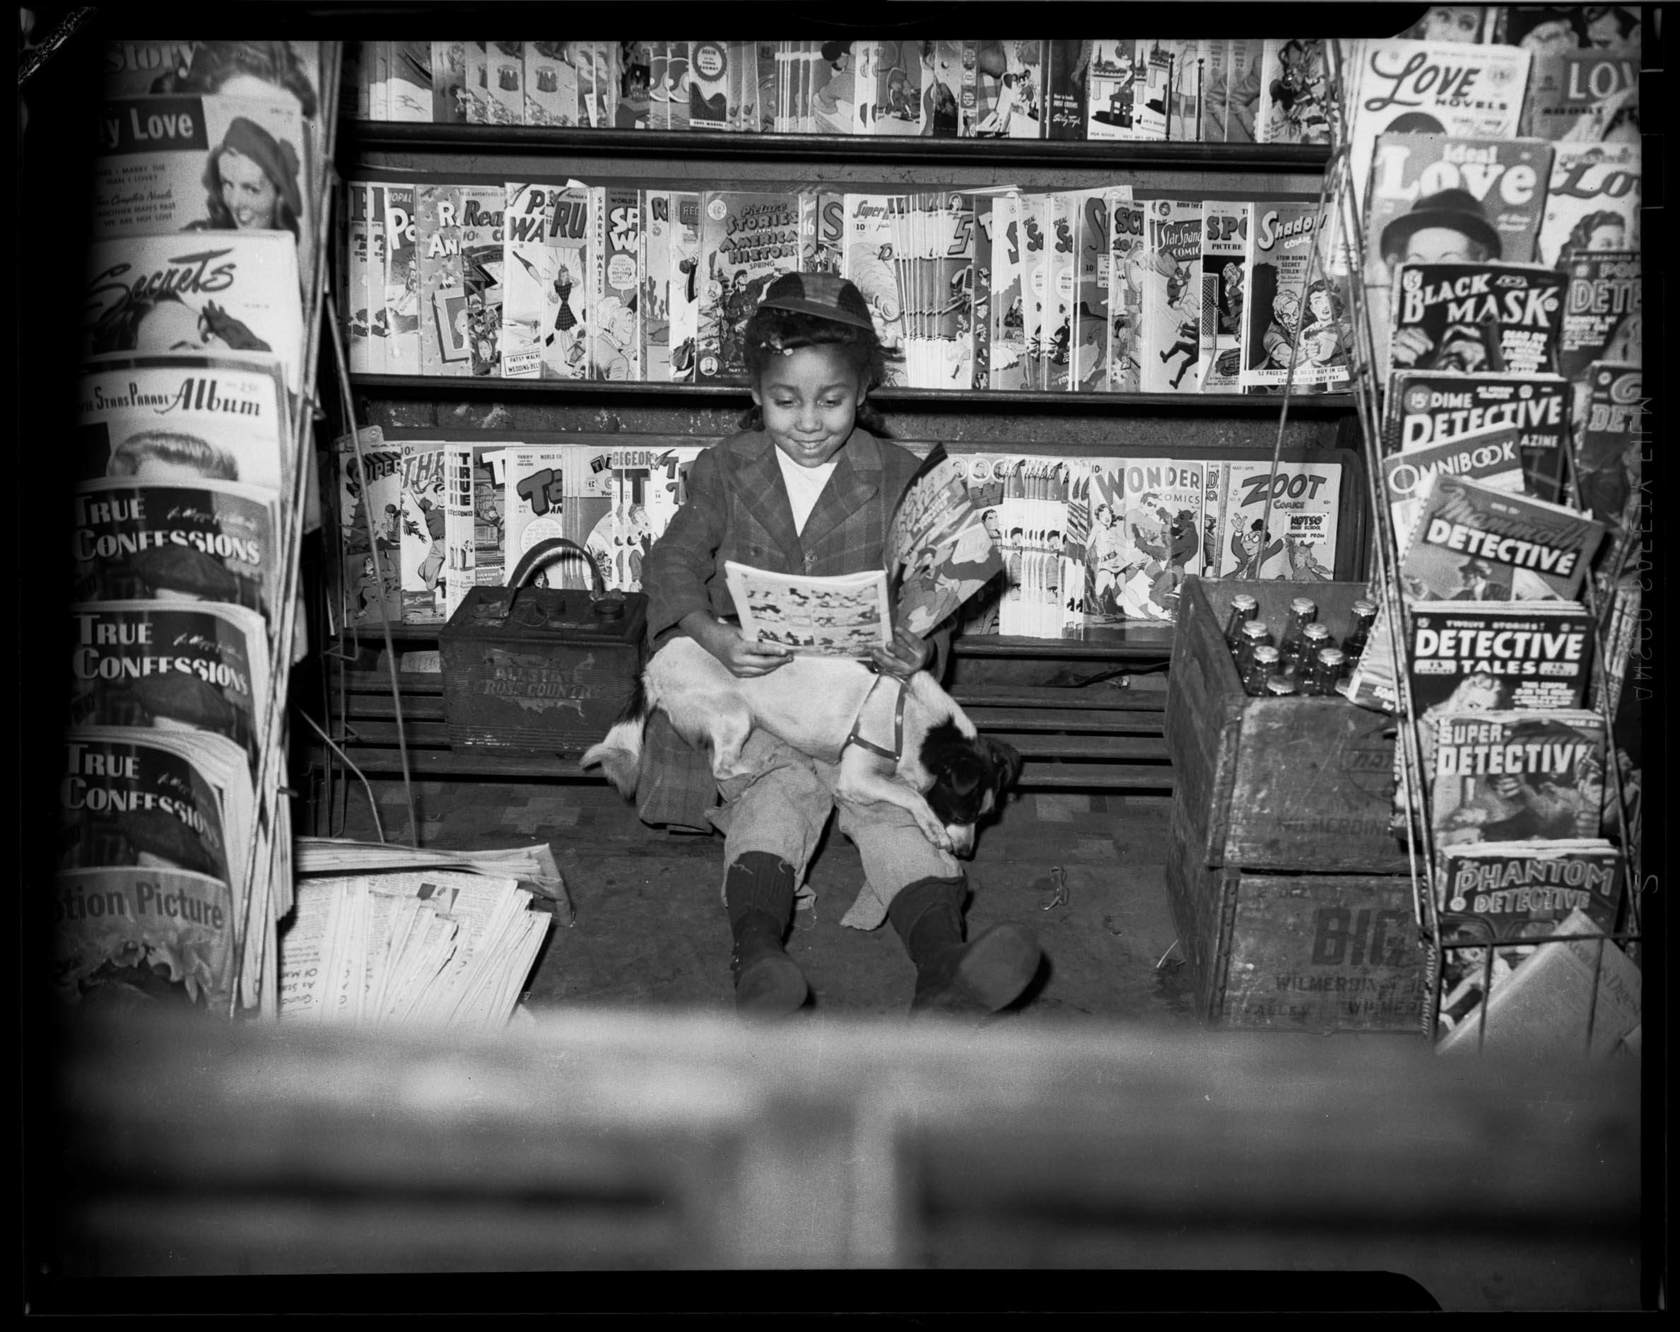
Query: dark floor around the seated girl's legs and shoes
{"points": [[651, 931]]}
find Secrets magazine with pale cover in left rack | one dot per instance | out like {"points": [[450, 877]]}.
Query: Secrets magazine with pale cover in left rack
{"points": [[221, 291]]}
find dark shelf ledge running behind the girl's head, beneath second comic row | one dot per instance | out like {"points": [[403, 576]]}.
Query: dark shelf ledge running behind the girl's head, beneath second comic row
{"points": [[483, 387]]}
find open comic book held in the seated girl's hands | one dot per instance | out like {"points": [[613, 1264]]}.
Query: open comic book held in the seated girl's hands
{"points": [[940, 553]]}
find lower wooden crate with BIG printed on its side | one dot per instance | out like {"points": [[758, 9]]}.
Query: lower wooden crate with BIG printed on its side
{"points": [[1296, 952]]}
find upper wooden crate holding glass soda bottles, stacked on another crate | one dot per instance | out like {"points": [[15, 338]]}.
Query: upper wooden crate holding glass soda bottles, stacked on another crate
{"points": [[1276, 784]]}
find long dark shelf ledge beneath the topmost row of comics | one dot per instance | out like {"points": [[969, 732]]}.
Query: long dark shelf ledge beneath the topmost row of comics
{"points": [[523, 140]]}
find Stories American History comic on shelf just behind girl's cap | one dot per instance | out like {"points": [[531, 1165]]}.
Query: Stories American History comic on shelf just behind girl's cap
{"points": [[747, 243]]}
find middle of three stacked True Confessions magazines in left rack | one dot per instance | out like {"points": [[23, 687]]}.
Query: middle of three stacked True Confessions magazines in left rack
{"points": [[174, 666]]}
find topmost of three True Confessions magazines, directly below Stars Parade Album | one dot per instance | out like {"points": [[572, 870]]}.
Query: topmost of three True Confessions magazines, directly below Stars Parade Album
{"points": [[137, 540]]}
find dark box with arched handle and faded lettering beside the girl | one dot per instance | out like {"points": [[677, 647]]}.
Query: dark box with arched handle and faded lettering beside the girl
{"points": [[540, 671]]}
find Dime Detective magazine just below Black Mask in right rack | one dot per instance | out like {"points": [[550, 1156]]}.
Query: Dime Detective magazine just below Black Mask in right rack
{"points": [[1531, 412]]}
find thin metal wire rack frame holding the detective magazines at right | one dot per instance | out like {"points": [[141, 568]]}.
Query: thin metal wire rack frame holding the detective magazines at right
{"points": [[1441, 931]]}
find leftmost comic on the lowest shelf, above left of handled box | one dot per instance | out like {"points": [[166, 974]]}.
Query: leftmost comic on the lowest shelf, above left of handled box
{"points": [[372, 493]]}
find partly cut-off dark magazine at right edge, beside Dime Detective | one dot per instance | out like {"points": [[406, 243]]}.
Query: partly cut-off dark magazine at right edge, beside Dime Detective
{"points": [[1609, 451]]}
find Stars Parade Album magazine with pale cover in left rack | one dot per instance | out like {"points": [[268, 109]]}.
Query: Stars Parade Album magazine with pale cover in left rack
{"points": [[171, 417]]}
